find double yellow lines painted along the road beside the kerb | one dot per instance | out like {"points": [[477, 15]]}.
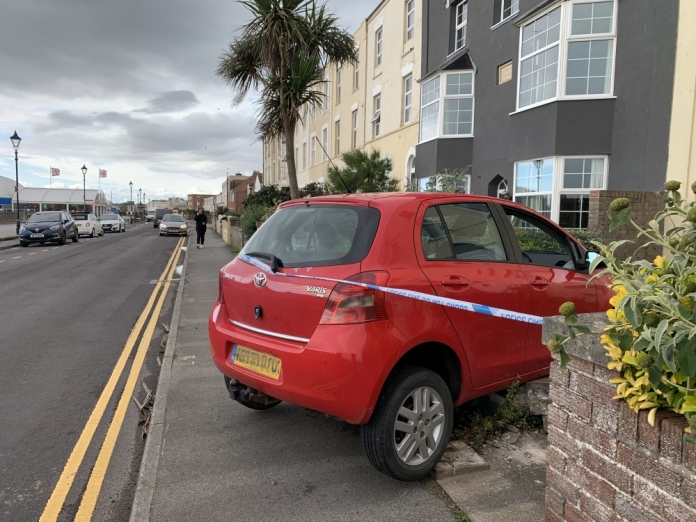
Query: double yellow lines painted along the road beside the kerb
{"points": [[89, 498]]}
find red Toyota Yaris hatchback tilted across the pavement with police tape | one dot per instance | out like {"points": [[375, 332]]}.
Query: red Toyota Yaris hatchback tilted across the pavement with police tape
{"points": [[395, 361]]}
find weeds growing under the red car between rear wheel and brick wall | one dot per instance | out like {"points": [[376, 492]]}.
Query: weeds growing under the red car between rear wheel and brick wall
{"points": [[479, 425]]}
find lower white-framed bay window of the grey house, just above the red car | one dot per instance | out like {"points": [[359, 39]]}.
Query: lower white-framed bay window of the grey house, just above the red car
{"points": [[559, 187]]}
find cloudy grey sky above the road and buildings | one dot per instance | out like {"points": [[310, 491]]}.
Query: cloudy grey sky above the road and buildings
{"points": [[128, 87]]}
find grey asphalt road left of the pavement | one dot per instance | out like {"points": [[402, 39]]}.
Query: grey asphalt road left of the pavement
{"points": [[65, 315]]}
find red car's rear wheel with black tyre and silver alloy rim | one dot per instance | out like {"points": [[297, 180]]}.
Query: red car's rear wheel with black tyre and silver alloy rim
{"points": [[404, 438]]}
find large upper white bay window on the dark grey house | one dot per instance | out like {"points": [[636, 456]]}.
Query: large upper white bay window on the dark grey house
{"points": [[568, 52]]}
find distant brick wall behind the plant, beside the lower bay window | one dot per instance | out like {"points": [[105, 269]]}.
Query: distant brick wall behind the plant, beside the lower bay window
{"points": [[644, 206]]}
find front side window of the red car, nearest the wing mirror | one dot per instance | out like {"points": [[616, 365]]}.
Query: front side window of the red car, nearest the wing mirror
{"points": [[539, 244]]}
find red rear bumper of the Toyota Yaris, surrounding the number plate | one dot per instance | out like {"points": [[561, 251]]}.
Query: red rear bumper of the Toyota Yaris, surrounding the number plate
{"points": [[337, 372]]}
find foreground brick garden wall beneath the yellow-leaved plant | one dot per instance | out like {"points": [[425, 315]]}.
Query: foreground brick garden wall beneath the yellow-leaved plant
{"points": [[604, 461]]}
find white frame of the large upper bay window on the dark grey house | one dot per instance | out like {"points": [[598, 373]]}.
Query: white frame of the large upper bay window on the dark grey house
{"points": [[564, 40]]}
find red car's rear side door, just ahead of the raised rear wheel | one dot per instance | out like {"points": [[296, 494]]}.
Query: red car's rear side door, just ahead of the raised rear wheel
{"points": [[462, 254]]}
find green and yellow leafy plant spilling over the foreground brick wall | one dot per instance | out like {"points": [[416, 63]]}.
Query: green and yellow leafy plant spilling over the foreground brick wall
{"points": [[651, 339]]}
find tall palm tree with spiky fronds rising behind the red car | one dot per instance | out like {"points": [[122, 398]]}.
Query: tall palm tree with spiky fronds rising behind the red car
{"points": [[282, 53]]}
